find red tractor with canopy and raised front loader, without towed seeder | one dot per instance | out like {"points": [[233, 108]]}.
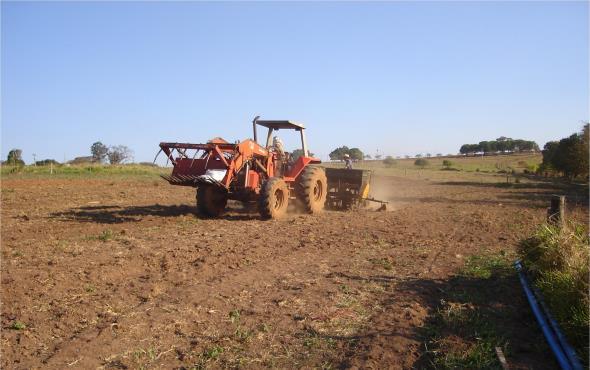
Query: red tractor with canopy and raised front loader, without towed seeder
{"points": [[249, 172]]}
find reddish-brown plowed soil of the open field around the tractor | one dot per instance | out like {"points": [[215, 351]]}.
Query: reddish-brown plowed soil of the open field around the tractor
{"points": [[120, 273]]}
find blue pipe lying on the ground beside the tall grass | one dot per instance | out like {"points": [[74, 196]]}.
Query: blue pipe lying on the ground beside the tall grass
{"points": [[564, 353]]}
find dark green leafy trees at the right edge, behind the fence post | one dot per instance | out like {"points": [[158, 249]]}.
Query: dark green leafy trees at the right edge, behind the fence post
{"points": [[568, 156]]}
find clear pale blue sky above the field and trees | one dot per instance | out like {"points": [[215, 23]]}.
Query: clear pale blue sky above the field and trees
{"points": [[398, 77]]}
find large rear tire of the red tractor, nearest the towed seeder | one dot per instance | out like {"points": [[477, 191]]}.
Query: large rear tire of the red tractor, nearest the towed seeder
{"points": [[313, 189]]}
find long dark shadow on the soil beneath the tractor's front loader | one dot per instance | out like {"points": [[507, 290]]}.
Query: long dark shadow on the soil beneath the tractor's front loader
{"points": [[116, 214]]}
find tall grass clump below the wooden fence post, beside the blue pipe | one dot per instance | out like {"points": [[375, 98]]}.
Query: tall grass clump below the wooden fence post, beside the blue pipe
{"points": [[558, 262]]}
